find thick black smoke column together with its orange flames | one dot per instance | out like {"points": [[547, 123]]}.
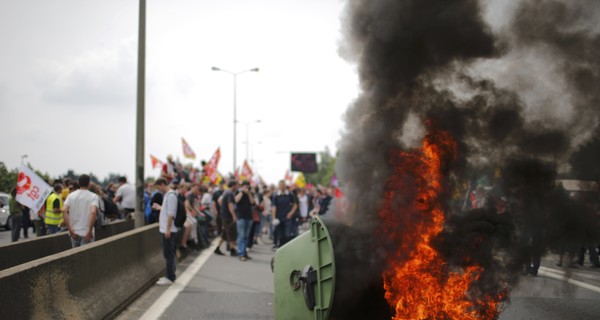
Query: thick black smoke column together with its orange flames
{"points": [[476, 98]]}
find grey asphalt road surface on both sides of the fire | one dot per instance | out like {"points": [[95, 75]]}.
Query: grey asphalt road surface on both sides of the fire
{"points": [[225, 288]]}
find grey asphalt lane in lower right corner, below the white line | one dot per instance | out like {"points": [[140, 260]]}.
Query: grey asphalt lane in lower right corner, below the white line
{"points": [[545, 298]]}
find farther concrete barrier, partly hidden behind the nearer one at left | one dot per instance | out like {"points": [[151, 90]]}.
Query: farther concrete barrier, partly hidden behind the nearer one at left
{"points": [[21, 252]]}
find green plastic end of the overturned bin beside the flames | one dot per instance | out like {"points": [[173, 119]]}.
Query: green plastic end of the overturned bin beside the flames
{"points": [[304, 271]]}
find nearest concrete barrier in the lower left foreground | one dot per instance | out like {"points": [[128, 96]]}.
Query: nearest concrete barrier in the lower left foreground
{"points": [[91, 282]]}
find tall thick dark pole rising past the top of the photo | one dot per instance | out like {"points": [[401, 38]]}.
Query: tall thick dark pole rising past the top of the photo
{"points": [[140, 140]]}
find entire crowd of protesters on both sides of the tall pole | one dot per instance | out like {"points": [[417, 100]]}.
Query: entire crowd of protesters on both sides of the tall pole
{"points": [[240, 212]]}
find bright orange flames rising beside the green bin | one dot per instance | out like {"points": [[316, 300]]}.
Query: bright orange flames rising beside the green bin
{"points": [[419, 283]]}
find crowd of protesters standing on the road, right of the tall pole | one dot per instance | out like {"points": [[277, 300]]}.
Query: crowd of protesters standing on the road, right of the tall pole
{"points": [[238, 211]]}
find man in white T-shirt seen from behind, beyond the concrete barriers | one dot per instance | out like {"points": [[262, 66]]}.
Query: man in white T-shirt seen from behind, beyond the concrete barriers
{"points": [[79, 213]]}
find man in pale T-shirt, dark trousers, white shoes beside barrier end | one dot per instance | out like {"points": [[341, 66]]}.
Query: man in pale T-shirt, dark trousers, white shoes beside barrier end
{"points": [[166, 226]]}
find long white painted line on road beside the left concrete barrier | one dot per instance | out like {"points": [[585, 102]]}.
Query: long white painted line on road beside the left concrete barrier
{"points": [[167, 298]]}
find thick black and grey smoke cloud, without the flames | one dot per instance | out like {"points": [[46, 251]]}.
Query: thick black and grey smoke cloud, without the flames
{"points": [[421, 60]]}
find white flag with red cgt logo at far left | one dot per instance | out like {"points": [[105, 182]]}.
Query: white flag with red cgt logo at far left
{"points": [[32, 191]]}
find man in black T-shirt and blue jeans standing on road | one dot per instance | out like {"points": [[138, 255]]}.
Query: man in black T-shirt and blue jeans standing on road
{"points": [[245, 200]]}
